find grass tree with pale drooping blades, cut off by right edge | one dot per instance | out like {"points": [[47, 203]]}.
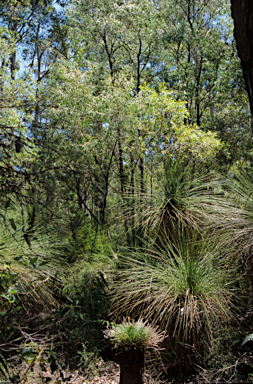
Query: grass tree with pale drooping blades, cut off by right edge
{"points": [[233, 221]]}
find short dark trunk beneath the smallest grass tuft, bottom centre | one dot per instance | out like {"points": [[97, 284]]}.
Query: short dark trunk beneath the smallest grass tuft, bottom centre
{"points": [[131, 366]]}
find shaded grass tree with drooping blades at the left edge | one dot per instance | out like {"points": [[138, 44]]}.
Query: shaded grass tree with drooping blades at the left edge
{"points": [[29, 261]]}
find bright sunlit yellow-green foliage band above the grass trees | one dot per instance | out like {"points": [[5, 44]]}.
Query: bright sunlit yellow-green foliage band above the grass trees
{"points": [[146, 121]]}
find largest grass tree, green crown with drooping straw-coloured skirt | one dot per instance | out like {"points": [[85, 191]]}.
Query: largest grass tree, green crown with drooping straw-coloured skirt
{"points": [[184, 287]]}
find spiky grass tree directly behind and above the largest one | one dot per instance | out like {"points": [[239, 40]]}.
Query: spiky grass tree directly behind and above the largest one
{"points": [[184, 196]]}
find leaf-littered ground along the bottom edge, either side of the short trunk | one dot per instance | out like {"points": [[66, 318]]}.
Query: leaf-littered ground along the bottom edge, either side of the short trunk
{"points": [[109, 373]]}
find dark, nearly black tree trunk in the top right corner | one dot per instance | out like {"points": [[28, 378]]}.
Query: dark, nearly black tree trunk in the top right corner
{"points": [[242, 13]]}
